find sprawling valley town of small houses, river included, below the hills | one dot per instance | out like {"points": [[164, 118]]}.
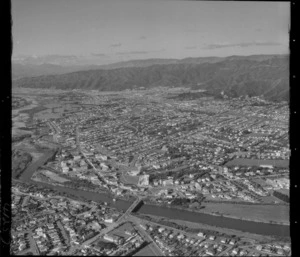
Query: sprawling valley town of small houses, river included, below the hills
{"points": [[149, 172]]}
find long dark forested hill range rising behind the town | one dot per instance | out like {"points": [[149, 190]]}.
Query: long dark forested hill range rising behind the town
{"points": [[235, 76]]}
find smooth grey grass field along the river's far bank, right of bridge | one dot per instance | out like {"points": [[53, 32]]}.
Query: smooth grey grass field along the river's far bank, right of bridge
{"points": [[265, 213]]}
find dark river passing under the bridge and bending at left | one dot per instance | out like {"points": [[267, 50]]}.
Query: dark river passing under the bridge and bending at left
{"points": [[162, 211]]}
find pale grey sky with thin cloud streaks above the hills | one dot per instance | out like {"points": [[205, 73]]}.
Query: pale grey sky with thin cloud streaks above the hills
{"points": [[106, 31]]}
